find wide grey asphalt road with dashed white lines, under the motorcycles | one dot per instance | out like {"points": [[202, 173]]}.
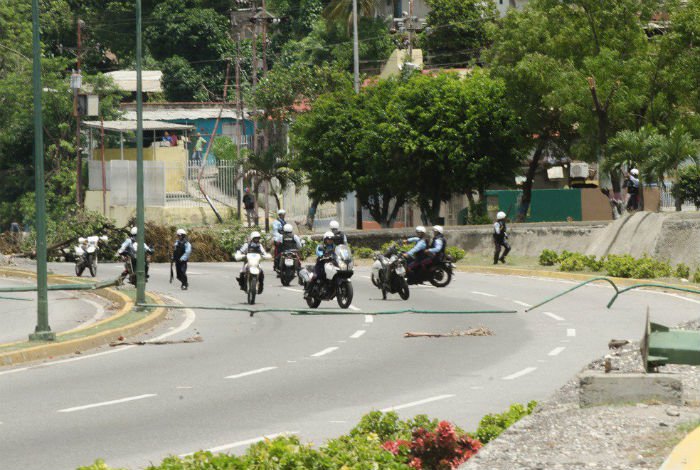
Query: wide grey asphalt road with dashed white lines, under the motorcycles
{"points": [[312, 375]]}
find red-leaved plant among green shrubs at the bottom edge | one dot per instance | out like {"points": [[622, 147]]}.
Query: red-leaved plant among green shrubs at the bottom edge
{"points": [[441, 449]]}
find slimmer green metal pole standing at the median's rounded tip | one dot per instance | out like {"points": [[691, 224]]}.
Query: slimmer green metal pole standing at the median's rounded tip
{"points": [[140, 236]]}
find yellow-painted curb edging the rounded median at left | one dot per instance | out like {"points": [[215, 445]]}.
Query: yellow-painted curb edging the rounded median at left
{"points": [[59, 348]]}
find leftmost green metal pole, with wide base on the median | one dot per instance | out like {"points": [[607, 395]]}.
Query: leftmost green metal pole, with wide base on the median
{"points": [[42, 332]]}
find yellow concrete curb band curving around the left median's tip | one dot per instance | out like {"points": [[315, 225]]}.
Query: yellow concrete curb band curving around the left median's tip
{"points": [[125, 322]]}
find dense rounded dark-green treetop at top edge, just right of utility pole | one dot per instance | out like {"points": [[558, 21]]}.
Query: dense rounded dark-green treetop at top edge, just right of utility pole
{"points": [[457, 30]]}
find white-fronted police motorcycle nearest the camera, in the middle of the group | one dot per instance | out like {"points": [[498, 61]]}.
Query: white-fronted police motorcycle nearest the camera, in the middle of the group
{"points": [[338, 270]]}
